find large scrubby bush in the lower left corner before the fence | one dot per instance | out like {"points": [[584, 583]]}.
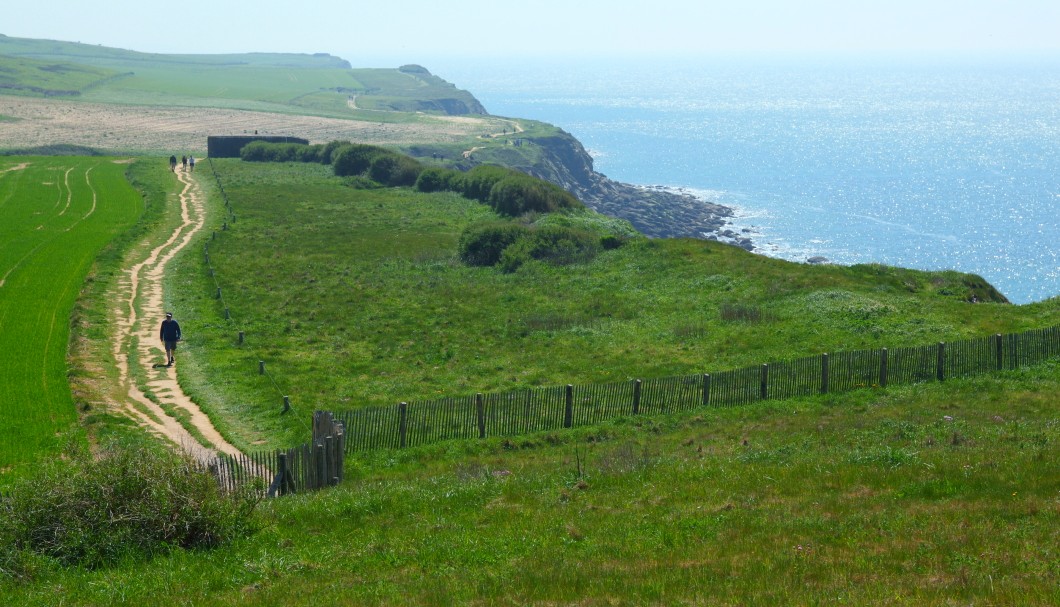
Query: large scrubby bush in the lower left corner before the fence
{"points": [[127, 504]]}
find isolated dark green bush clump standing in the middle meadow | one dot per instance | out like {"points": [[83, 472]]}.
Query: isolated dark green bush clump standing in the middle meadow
{"points": [[509, 245]]}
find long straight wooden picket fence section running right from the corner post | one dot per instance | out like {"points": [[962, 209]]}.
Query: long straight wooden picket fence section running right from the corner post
{"points": [[526, 412]]}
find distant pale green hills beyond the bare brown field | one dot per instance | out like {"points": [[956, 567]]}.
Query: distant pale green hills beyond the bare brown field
{"points": [[314, 85]]}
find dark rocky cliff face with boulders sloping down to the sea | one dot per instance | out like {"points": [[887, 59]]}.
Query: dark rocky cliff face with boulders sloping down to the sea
{"points": [[653, 211]]}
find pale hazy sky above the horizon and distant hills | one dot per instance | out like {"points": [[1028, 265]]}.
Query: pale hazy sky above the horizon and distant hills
{"points": [[417, 30]]}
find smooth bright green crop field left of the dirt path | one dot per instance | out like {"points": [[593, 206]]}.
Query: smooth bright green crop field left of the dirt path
{"points": [[58, 215]]}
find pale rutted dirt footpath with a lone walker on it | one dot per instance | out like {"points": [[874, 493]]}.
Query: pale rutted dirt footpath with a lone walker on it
{"points": [[136, 343]]}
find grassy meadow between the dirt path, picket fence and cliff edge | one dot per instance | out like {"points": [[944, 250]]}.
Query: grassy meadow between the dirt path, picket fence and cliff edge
{"points": [[357, 298]]}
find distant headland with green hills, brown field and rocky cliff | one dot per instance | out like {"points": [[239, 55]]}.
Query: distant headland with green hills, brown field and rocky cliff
{"points": [[317, 97]]}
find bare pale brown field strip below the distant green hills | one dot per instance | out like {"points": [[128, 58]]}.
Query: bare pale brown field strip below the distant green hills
{"points": [[169, 130]]}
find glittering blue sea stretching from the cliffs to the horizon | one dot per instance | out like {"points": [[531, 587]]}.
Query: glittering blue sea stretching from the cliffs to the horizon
{"points": [[933, 165]]}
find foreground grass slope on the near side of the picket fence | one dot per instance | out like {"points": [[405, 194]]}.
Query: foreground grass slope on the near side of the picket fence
{"points": [[926, 495]]}
